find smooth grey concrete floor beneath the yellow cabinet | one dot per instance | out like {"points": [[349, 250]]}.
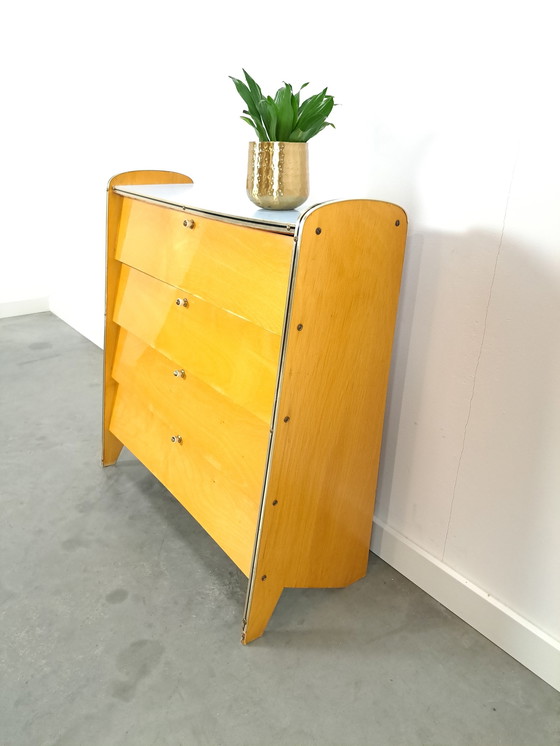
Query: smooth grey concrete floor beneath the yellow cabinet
{"points": [[120, 618]]}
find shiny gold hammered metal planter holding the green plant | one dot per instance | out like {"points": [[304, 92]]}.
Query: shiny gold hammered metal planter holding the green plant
{"points": [[278, 174]]}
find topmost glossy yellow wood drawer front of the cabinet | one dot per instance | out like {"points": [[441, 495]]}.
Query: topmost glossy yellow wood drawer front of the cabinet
{"points": [[243, 270]]}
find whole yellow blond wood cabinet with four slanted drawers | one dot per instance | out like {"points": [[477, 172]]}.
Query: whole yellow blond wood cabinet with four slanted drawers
{"points": [[246, 365]]}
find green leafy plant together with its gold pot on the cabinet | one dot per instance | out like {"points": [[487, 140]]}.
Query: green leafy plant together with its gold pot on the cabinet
{"points": [[278, 172]]}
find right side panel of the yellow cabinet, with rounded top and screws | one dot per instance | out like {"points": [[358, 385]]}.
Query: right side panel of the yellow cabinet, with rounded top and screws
{"points": [[318, 508]]}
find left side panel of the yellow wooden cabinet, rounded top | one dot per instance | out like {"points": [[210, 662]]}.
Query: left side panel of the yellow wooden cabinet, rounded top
{"points": [[111, 447]]}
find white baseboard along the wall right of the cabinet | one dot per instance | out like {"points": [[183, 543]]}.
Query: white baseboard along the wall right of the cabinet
{"points": [[521, 639]]}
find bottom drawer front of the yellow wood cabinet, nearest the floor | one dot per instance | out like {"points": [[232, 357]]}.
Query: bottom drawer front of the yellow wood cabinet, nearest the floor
{"points": [[221, 507]]}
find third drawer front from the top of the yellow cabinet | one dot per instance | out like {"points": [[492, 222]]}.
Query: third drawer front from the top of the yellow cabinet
{"points": [[231, 438]]}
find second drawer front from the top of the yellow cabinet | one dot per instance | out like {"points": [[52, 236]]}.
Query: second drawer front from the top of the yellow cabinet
{"points": [[237, 358]]}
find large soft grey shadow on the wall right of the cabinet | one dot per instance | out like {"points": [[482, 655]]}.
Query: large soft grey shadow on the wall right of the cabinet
{"points": [[469, 465]]}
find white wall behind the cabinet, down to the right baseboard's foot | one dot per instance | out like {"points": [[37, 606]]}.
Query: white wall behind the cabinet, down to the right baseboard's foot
{"points": [[445, 110]]}
